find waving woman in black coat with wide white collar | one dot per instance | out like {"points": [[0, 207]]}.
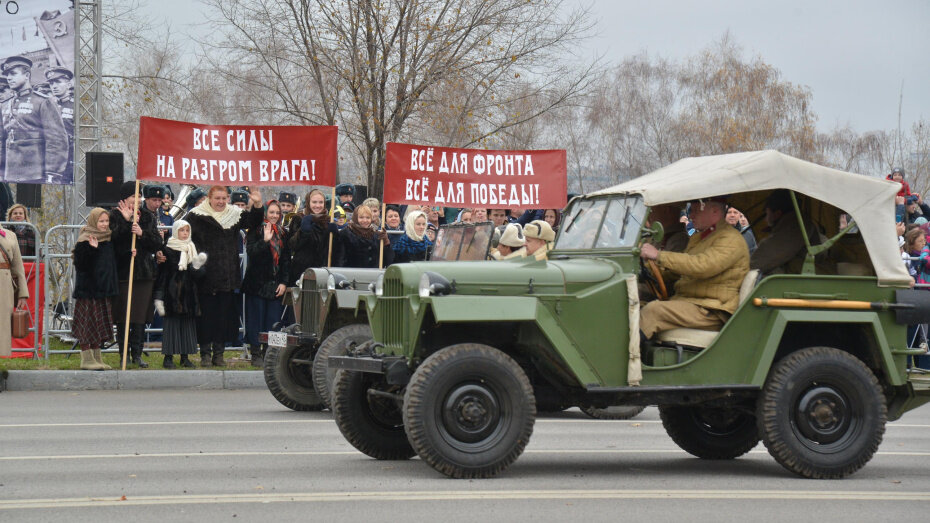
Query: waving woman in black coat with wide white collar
{"points": [[215, 227]]}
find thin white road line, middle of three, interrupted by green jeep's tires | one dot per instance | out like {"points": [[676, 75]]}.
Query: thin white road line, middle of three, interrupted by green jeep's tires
{"points": [[354, 453]]}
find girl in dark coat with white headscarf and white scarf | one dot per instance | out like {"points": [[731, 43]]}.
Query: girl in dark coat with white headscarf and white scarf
{"points": [[176, 297]]}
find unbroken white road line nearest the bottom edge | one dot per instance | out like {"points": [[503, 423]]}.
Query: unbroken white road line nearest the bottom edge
{"points": [[460, 495]]}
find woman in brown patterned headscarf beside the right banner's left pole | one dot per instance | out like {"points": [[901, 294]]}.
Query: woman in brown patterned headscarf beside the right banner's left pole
{"points": [[358, 244]]}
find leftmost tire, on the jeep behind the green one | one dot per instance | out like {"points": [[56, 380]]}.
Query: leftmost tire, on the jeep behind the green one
{"points": [[290, 383]]}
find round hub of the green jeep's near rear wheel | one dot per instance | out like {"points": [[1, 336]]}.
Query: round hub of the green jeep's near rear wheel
{"points": [[823, 415]]}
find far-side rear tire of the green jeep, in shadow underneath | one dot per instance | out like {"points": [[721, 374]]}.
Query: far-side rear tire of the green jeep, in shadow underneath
{"points": [[710, 432]]}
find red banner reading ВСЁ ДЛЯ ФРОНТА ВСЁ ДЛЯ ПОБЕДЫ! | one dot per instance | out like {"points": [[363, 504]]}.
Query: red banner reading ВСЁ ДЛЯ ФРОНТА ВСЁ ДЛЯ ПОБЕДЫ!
{"points": [[443, 176]]}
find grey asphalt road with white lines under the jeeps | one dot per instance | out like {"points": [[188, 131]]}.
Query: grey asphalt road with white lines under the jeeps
{"points": [[240, 456]]}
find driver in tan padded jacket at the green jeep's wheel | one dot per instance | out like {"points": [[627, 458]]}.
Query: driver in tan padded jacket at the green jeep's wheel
{"points": [[711, 270]]}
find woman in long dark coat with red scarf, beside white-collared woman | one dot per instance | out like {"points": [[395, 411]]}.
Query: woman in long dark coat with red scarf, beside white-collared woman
{"points": [[266, 279]]}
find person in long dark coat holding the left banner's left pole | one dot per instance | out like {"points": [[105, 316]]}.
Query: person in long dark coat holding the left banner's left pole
{"points": [[148, 242]]}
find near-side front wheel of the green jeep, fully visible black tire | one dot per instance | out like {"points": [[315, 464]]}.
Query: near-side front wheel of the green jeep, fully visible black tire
{"points": [[501, 409]]}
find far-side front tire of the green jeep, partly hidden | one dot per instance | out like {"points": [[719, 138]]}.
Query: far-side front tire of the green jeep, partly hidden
{"points": [[372, 424]]}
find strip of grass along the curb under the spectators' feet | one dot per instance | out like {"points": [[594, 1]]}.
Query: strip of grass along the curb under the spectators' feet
{"points": [[73, 361]]}
